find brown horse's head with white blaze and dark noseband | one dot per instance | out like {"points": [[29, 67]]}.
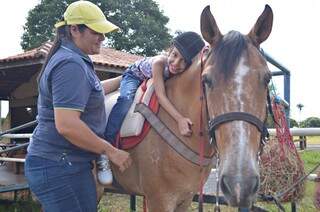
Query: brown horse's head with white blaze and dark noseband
{"points": [[235, 78]]}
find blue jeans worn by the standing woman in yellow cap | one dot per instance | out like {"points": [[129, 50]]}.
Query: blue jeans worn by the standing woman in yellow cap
{"points": [[63, 185]]}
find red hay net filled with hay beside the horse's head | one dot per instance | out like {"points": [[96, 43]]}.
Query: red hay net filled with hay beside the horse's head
{"points": [[281, 165]]}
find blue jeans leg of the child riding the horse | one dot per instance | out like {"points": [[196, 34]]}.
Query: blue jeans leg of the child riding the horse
{"points": [[128, 87]]}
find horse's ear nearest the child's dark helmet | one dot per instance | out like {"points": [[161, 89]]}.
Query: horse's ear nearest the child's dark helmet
{"points": [[209, 28]]}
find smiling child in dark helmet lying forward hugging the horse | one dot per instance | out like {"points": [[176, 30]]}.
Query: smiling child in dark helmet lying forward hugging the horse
{"points": [[185, 47]]}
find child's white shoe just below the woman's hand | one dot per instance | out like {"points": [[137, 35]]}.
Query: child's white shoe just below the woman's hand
{"points": [[104, 171]]}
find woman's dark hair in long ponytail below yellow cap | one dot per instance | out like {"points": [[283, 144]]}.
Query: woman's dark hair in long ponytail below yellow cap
{"points": [[62, 33]]}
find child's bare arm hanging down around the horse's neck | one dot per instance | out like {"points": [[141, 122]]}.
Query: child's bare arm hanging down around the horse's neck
{"points": [[158, 81]]}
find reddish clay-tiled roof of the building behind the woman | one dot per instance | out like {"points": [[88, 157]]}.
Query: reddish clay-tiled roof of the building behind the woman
{"points": [[107, 57]]}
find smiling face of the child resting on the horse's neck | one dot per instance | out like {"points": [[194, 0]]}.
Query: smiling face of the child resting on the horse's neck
{"points": [[176, 62]]}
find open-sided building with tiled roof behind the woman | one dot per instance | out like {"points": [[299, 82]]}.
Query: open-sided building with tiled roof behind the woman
{"points": [[18, 76]]}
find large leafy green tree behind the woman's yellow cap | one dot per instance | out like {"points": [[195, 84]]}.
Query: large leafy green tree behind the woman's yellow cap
{"points": [[142, 25]]}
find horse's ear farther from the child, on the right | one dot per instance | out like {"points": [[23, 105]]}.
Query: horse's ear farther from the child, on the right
{"points": [[262, 28]]}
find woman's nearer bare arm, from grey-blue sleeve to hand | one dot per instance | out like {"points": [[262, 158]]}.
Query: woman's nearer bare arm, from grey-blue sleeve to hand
{"points": [[70, 126]]}
